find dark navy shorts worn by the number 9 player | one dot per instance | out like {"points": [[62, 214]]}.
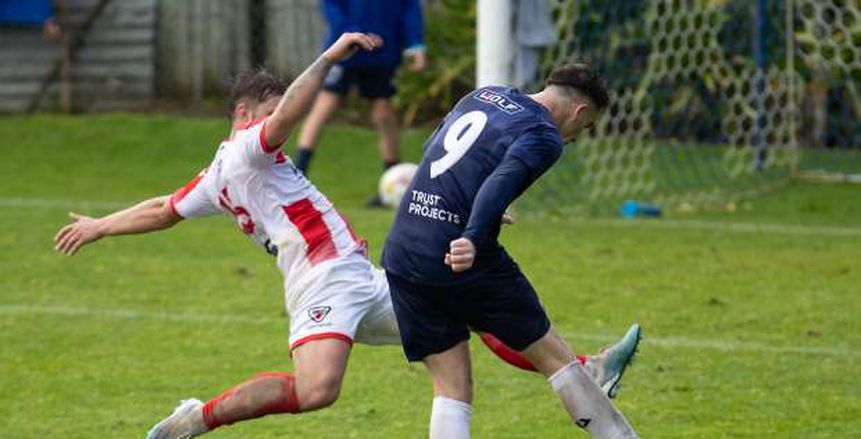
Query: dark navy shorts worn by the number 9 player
{"points": [[499, 301]]}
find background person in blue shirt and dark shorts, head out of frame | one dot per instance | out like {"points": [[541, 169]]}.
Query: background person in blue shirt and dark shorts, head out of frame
{"points": [[400, 24]]}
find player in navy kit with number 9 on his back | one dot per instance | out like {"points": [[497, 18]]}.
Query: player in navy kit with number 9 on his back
{"points": [[448, 273]]}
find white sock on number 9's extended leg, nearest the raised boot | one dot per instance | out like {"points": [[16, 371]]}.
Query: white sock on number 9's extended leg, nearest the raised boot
{"points": [[587, 405]]}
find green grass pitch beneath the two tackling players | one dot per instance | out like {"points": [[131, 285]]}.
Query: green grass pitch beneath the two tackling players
{"points": [[752, 319]]}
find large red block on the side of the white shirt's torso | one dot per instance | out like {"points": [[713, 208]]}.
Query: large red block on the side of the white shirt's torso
{"points": [[315, 232]]}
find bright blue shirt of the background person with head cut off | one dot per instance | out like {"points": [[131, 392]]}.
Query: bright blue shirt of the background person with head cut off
{"points": [[398, 22]]}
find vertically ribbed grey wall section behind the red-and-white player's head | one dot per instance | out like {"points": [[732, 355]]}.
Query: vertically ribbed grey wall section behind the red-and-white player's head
{"points": [[203, 43]]}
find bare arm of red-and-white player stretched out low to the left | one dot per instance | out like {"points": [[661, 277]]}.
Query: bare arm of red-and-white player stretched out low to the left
{"points": [[147, 216]]}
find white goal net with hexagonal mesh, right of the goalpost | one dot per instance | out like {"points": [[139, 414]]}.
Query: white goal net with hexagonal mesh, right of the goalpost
{"points": [[706, 95]]}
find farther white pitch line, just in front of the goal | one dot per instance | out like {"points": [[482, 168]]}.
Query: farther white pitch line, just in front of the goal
{"points": [[773, 228]]}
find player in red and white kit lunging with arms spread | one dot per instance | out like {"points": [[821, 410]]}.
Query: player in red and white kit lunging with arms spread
{"points": [[334, 295]]}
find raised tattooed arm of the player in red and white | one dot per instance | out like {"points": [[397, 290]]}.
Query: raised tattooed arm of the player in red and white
{"points": [[301, 93]]}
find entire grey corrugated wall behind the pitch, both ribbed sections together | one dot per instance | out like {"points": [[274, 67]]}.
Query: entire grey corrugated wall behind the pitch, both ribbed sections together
{"points": [[141, 49]]}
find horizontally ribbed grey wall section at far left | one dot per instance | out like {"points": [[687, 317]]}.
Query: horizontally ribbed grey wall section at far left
{"points": [[113, 70]]}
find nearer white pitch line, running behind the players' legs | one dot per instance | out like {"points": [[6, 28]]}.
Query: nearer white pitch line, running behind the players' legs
{"points": [[668, 342]]}
